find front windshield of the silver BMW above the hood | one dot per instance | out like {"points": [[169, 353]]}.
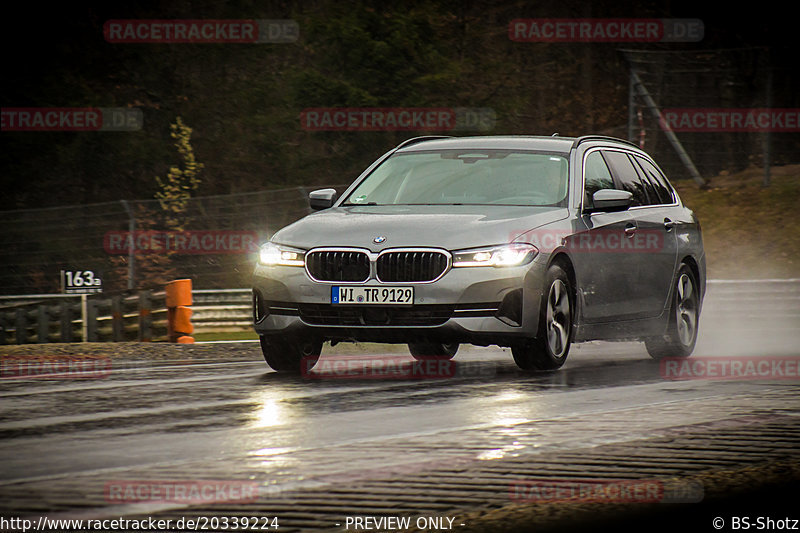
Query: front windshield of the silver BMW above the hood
{"points": [[453, 177]]}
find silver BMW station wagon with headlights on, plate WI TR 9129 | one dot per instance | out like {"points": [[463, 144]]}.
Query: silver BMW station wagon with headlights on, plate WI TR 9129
{"points": [[531, 243]]}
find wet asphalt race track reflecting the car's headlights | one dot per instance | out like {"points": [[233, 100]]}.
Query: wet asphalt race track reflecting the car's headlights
{"points": [[304, 440]]}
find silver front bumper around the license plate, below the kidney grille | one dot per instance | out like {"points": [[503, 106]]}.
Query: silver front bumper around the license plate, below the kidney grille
{"points": [[480, 305]]}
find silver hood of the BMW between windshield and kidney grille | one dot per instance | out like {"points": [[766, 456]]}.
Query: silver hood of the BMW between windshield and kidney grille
{"points": [[451, 227]]}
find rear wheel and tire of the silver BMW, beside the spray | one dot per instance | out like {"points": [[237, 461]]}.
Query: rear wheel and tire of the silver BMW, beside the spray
{"points": [[684, 319]]}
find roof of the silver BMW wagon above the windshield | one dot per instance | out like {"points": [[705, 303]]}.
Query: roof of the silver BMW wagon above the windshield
{"points": [[505, 142]]}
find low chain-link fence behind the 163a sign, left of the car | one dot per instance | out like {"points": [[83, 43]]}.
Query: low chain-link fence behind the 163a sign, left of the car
{"points": [[136, 245]]}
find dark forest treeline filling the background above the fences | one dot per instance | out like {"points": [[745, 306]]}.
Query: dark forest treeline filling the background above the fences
{"points": [[243, 101]]}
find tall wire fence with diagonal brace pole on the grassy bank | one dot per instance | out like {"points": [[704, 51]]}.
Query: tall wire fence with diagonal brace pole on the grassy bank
{"points": [[703, 112]]}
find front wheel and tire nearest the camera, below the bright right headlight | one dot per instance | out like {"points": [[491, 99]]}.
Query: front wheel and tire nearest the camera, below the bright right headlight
{"points": [[550, 349]]}
